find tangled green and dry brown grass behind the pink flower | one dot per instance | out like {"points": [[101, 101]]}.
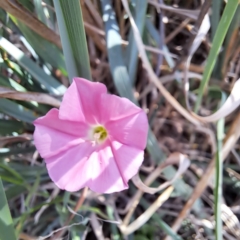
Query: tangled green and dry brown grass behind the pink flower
{"points": [[43, 44]]}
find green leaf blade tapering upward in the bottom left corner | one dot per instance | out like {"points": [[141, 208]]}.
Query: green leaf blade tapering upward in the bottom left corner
{"points": [[7, 231]]}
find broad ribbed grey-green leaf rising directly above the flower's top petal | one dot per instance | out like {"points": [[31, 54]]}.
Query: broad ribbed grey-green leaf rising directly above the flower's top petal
{"points": [[72, 33]]}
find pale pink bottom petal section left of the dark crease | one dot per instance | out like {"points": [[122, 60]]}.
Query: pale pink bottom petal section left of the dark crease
{"points": [[105, 174]]}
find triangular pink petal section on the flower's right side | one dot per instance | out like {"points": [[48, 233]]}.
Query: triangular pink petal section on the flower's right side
{"points": [[131, 131]]}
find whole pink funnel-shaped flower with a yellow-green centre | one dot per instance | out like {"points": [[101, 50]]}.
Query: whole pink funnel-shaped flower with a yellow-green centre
{"points": [[95, 139]]}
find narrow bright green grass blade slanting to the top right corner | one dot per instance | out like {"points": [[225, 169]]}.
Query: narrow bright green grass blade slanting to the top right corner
{"points": [[221, 31]]}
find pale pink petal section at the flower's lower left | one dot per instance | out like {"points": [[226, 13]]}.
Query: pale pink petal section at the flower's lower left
{"points": [[71, 170]]}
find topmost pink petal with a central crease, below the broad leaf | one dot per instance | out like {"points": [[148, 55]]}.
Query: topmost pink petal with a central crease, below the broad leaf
{"points": [[80, 102]]}
